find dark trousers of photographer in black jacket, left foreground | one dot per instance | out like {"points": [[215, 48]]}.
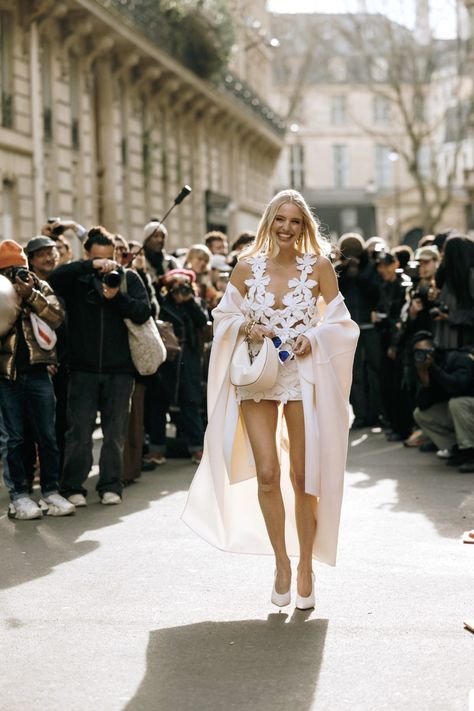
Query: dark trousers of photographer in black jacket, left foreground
{"points": [[87, 394]]}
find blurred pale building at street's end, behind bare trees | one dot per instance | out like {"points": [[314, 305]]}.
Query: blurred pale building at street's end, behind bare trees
{"points": [[344, 143]]}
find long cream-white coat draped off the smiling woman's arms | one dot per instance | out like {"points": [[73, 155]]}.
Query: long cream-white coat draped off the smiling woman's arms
{"points": [[222, 505]]}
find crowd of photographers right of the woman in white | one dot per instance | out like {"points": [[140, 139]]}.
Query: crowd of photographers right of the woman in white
{"points": [[414, 365]]}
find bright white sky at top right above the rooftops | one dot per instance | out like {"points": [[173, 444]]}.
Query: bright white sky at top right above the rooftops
{"points": [[443, 15]]}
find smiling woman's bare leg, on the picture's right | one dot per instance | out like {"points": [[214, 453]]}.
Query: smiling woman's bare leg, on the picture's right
{"points": [[305, 504]]}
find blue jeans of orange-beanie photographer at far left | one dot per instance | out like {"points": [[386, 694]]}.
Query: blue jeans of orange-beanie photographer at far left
{"points": [[30, 394]]}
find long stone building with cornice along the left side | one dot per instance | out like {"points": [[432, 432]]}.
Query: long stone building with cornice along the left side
{"points": [[98, 124]]}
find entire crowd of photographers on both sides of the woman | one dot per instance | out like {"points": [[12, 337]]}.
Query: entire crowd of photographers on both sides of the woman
{"points": [[65, 358]]}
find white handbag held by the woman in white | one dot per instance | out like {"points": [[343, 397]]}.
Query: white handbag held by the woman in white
{"points": [[257, 372]]}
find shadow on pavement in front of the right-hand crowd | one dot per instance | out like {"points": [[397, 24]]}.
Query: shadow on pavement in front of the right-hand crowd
{"points": [[425, 484]]}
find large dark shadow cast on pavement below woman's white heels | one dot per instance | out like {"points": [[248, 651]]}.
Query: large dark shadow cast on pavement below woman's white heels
{"points": [[245, 664]]}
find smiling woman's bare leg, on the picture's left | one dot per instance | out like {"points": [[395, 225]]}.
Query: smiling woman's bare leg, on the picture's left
{"points": [[261, 422]]}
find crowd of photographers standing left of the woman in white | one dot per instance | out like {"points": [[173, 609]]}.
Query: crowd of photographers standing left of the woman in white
{"points": [[65, 359]]}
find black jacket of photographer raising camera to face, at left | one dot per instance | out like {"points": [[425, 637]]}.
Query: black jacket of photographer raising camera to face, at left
{"points": [[97, 334]]}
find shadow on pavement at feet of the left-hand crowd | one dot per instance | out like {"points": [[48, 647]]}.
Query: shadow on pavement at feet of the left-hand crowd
{"points": [[31, 549]]}
